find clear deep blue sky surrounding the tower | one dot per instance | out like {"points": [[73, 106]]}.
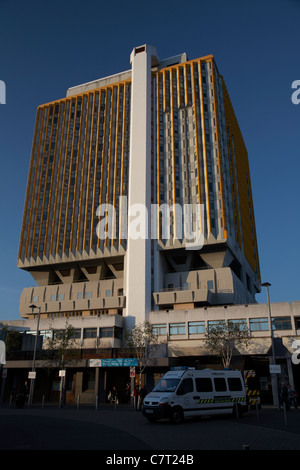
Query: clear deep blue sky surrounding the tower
{"points": [[46, 47]]}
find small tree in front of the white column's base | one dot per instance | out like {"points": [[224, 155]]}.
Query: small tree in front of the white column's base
{"points": [[141, 343]]}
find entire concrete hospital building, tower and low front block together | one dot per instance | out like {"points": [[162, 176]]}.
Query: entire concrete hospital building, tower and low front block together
{"points": [[139, 207]]}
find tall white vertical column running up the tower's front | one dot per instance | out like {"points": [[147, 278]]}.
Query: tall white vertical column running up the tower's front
{"points": [[138, 255]]}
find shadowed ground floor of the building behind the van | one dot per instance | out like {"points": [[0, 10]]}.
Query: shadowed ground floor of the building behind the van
{"points": [[89, 385]]}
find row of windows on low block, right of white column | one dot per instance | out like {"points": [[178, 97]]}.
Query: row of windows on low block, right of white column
{"points": [[198, 327]]}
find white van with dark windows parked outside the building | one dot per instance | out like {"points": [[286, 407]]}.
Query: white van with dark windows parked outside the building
{"points": [[190, 392]]}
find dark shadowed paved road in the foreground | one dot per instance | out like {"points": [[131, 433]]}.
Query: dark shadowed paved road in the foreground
{"points": [[108, 429]]}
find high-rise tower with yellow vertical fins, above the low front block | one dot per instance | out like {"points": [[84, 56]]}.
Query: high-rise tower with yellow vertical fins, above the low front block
{"points": [[162, 134]]}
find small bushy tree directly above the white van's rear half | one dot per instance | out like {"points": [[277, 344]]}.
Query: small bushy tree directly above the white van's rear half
{"points": [[225, 337]]}
